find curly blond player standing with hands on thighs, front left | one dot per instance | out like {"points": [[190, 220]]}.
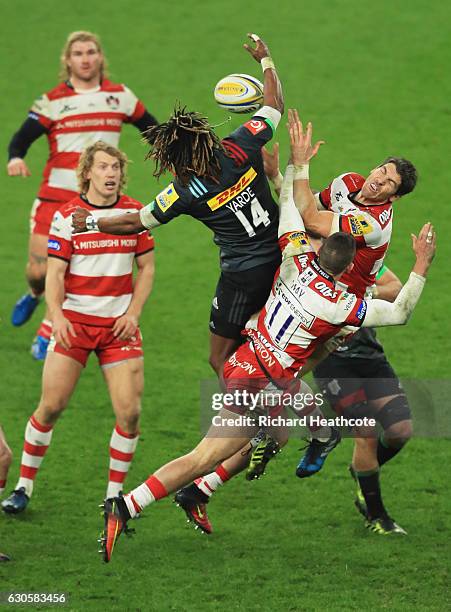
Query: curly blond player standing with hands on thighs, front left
{"points": [[95, 306]]}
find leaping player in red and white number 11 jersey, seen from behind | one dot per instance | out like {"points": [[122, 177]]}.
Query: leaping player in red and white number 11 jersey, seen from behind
{"points": [[305, 309]]}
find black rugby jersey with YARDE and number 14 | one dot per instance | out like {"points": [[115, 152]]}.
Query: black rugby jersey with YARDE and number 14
{"points": [[240, 209]]}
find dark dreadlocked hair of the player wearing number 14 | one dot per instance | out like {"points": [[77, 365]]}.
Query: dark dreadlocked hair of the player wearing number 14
{"points": [[185, 144]]}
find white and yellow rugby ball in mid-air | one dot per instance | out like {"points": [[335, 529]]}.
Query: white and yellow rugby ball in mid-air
{"points": [[239, 93]]}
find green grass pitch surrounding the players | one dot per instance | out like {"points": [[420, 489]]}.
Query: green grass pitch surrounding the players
{"points": [[373, 78]]}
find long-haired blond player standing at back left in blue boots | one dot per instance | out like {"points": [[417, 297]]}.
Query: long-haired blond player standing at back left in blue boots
{"points": [[83, 108]]}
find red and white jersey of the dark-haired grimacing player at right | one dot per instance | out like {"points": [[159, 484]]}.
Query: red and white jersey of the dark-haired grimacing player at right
{"points": [[371, 227]]}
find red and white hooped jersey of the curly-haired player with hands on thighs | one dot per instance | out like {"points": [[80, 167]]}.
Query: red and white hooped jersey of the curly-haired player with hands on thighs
{"points": [[99, 278]]}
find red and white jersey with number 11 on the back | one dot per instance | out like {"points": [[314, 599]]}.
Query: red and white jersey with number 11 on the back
{"points": [[305, 309]]}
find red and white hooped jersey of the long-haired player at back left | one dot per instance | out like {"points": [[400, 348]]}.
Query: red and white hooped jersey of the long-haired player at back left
{"points": [[74, 120]]}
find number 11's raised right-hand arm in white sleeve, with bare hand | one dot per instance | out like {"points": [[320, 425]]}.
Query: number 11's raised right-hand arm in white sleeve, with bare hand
{"points": [[380, 312]]}
